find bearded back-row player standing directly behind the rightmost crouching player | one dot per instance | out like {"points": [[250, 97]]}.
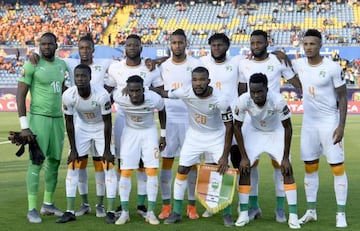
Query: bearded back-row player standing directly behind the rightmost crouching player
{"points": [[268, 64]]}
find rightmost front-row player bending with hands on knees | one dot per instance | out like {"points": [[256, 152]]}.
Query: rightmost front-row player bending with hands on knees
{"points": [[268, 129]]}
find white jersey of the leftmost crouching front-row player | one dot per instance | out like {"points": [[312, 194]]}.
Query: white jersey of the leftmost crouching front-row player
{"points": [[89, 110]]}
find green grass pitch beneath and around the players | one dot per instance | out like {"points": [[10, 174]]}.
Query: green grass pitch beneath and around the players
{"points": [[13, 202]]}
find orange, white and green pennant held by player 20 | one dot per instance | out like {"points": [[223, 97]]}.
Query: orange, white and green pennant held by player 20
{"points": [[214, 191]]}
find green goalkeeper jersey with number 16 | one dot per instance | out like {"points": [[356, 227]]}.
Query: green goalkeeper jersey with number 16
{"points": [[45, 82]]}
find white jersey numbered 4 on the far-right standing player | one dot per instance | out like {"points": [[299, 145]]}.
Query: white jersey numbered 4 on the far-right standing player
{"points": [[318, 84]]}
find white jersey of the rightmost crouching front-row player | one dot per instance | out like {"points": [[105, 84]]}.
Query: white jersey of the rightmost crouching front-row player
{"points": [[267, 117]]}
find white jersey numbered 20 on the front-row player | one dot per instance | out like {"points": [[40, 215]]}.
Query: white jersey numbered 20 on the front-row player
{"points": [[205, 114]]}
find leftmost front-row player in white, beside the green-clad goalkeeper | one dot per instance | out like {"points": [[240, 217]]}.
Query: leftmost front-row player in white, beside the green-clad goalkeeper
{"points": [[91, 127]]}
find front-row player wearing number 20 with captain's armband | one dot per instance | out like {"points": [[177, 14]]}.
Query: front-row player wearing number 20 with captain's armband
{"points": [[210, 132]]}
